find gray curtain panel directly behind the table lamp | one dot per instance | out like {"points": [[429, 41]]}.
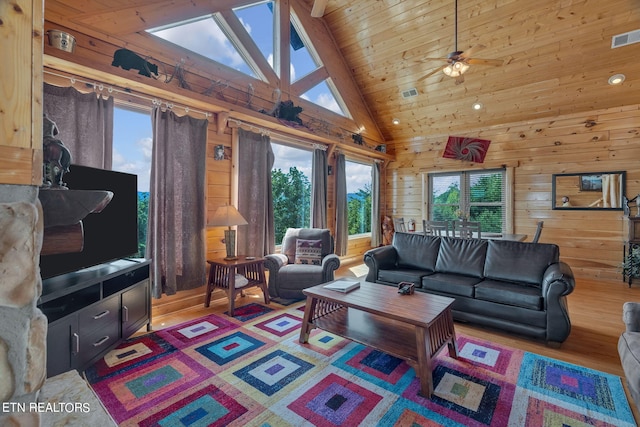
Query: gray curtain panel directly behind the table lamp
{"points": [[255, 200]]}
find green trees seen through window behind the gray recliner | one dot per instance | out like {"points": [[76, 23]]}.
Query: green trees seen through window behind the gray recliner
{"points": [[291, 200]]}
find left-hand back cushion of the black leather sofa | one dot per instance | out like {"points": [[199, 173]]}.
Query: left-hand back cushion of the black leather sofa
{"points": [[416, 250]]}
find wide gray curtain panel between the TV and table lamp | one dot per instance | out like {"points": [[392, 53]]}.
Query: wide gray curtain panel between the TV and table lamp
{"points": [[176, 238]]}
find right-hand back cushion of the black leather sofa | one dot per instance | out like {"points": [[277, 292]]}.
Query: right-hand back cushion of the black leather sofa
{"points": [[519, 261]]}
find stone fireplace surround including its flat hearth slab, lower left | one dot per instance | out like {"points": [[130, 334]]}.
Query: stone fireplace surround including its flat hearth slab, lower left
{"points": [[27, 398]]}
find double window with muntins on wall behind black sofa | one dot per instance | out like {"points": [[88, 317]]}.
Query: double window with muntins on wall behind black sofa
{"points": [[472, 195]]}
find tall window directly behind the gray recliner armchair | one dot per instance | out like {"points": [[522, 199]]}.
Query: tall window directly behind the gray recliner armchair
{"points": [[291, 189]]}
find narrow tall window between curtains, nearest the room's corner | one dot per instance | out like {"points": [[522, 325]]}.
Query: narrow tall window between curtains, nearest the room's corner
{"points": [[358, 197]]}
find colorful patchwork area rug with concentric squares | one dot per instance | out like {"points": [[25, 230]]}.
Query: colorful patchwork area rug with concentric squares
{"points": [[252, 371]]}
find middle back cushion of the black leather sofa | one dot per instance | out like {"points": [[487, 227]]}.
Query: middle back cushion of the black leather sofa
{"points": [[461, 256]]}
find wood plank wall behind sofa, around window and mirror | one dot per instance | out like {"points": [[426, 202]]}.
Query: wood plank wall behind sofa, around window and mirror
{"points": [[604, 140]]}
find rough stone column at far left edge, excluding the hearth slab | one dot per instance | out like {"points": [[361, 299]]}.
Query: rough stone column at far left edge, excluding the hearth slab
{"points": [[23, 327]]}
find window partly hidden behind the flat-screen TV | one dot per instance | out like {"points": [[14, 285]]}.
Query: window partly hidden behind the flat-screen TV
{"points": [[132, 142]]}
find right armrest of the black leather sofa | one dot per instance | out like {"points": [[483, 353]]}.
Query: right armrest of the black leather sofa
{"points": [[557, 282]]}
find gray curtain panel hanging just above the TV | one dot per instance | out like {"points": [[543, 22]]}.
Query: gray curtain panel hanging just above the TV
{"points": [[85, 122]]}
